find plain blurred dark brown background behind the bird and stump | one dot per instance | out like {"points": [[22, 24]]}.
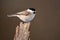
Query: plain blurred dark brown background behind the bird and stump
{"points": [[46, 25]]}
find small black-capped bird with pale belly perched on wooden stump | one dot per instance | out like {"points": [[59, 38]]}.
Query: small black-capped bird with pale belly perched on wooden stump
{"points": [[26, 16]]}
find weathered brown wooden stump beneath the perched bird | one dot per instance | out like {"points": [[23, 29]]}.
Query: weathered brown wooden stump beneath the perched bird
{"points": [[22, 31]]}
